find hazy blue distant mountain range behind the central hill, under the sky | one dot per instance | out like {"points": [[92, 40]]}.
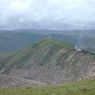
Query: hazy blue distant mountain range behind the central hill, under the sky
{"points": [[13, 40]]}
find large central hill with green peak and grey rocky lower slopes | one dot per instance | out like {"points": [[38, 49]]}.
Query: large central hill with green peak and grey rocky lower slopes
{"points": [[49, 61]]}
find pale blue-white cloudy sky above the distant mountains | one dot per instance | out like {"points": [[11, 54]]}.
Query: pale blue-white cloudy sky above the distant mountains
{"points": [[47, 14]]}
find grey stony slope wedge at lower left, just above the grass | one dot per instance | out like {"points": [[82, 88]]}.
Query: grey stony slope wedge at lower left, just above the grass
{"points": [[7, 81]]}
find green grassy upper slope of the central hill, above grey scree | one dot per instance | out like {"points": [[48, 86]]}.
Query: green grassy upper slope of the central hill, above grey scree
{"points": [[41, 53]]}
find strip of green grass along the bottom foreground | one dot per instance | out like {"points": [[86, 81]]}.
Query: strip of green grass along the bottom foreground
{"points": [[76, 88]]}
